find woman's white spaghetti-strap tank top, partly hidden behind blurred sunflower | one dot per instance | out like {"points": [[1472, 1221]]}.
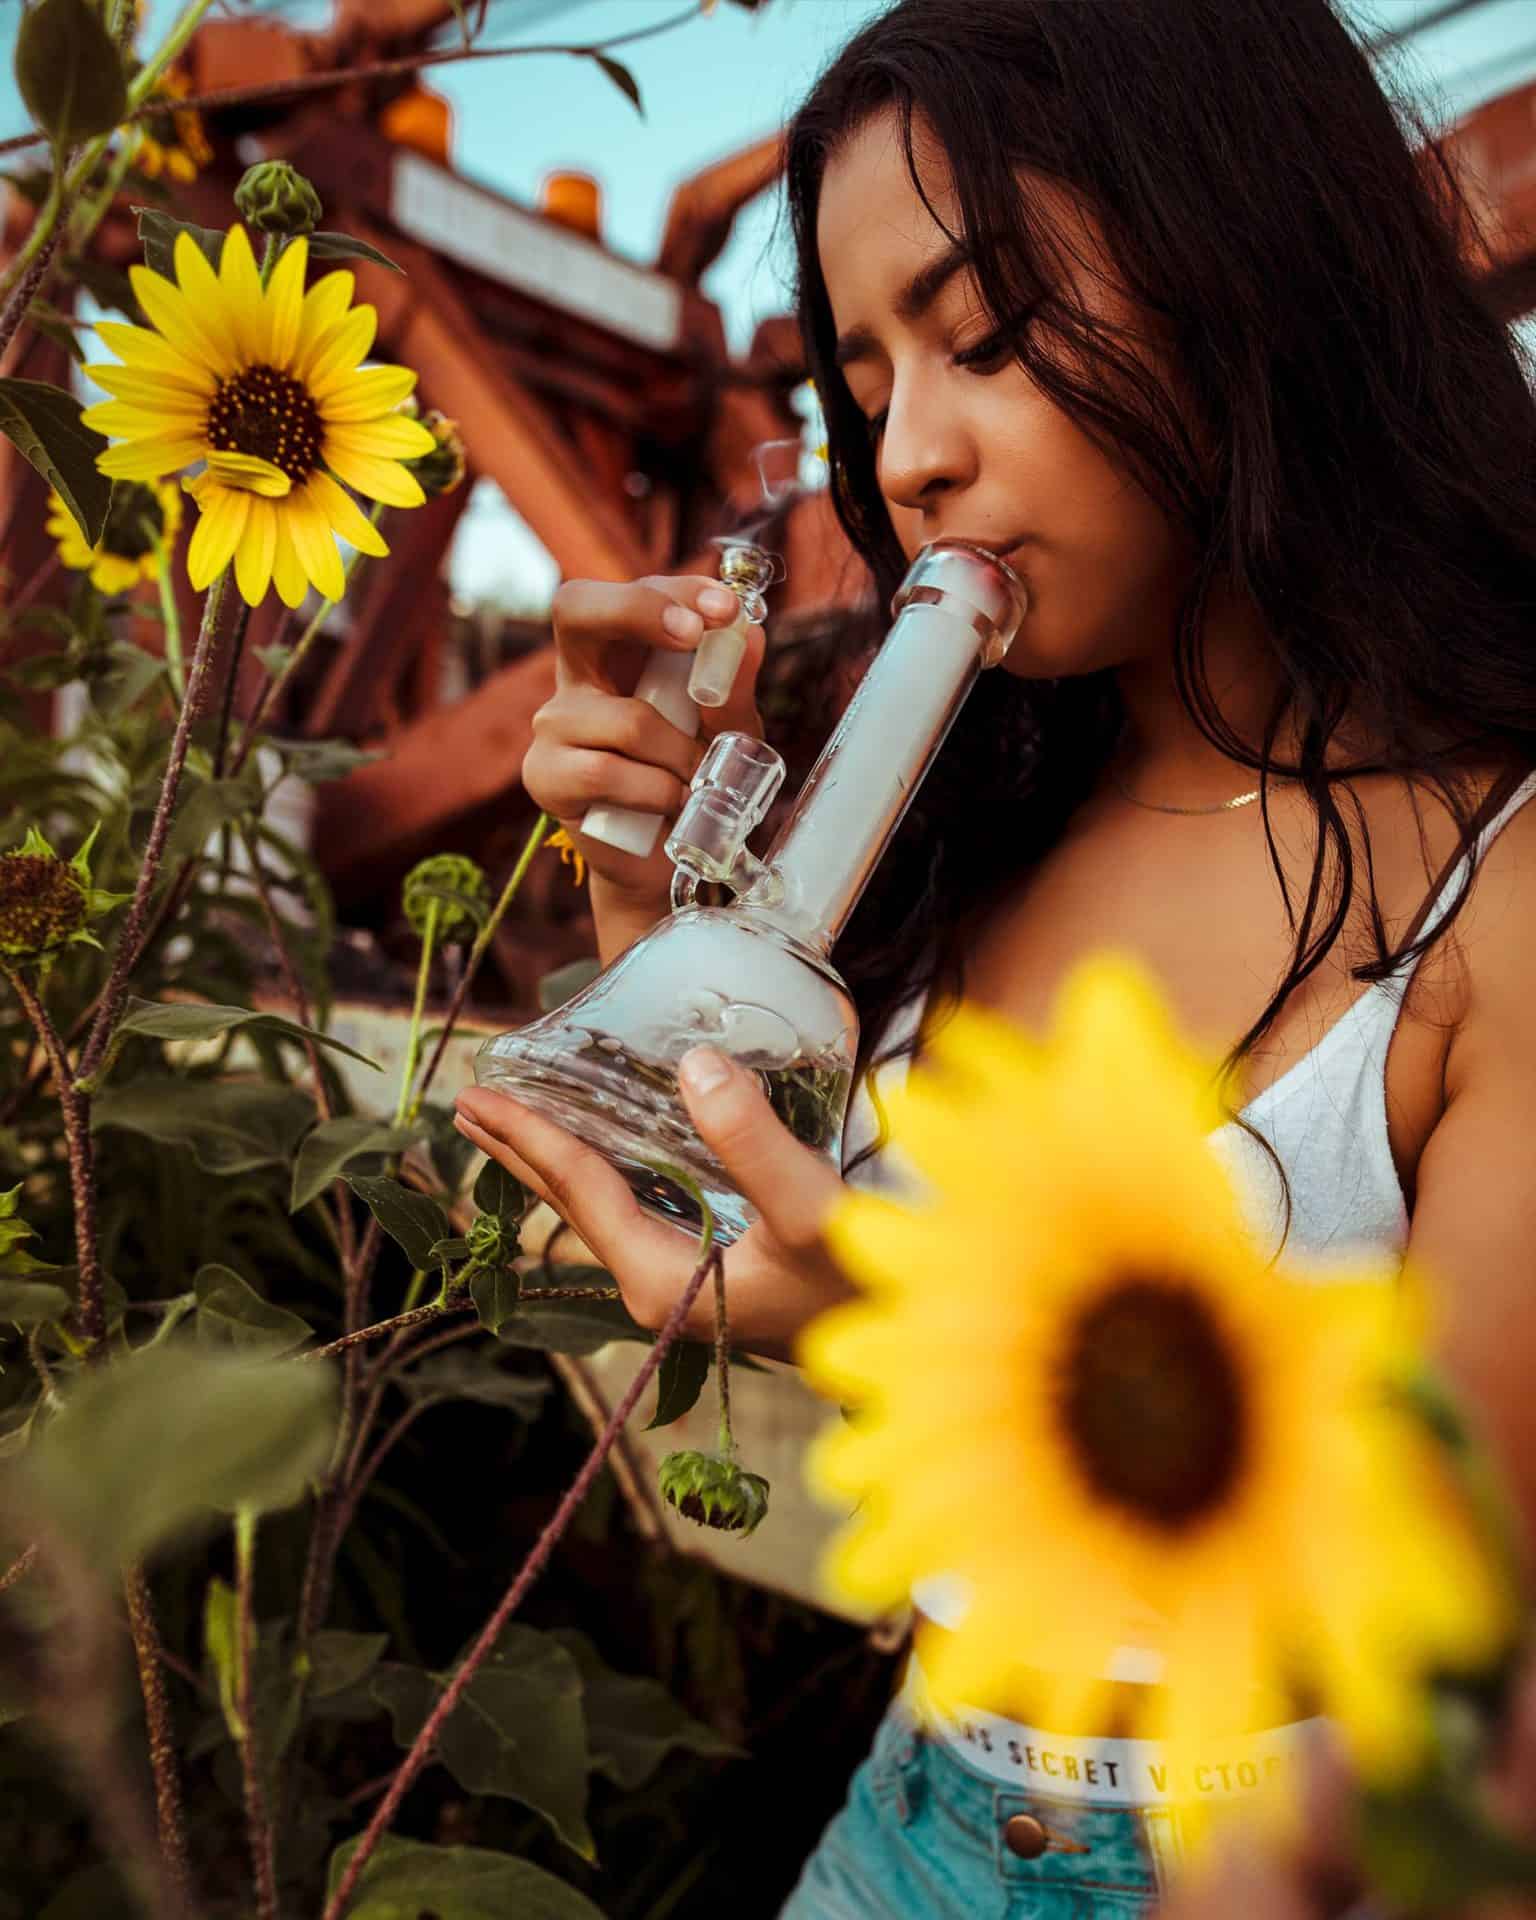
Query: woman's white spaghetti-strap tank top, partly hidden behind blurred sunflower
{"points": [[1326, 1118]]}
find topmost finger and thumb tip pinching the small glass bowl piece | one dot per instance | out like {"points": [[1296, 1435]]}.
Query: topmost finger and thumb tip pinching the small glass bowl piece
{"points": [[604, 629]]}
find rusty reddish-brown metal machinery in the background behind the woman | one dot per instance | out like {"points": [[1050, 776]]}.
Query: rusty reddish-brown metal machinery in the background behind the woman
{"points": [[596, 393]]}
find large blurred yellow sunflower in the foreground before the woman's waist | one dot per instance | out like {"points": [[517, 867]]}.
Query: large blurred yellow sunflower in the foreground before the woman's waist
{"points": [[1078, 1387]]}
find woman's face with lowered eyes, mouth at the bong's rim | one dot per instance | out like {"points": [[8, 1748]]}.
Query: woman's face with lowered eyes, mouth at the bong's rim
{"points": [[967, 444]]}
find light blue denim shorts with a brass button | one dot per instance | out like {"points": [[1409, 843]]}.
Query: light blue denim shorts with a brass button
{"points": [[923, 1838]]}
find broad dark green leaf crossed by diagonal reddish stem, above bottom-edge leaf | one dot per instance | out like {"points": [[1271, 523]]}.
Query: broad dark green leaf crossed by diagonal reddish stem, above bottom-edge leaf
{"points": [[517, 1733]]}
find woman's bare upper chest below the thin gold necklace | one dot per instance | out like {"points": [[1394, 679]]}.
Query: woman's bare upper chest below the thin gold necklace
{"points": [[1205, 915]]}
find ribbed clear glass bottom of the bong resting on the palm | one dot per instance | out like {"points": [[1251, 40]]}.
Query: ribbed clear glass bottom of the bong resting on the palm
{"points": [[633, 1116]]}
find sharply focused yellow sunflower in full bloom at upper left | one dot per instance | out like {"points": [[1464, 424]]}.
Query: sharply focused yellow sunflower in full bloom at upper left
{"points": [[264, 387]]}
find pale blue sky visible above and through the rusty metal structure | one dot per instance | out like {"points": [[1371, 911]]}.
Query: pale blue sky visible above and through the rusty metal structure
{"points": [[709, 89]]}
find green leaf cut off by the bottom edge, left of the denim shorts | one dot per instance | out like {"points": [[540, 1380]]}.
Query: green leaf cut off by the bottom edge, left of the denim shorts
{"points": [[406, 1879]]}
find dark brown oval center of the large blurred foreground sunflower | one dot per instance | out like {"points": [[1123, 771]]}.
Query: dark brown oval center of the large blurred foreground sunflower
{"points": [[1153, 1403]]}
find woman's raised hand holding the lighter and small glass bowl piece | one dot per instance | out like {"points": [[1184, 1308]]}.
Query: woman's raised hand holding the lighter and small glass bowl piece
{"points": [[596, 746]]}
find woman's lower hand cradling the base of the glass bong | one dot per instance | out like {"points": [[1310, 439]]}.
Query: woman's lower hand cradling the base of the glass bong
{"points": [[779, 1274]]}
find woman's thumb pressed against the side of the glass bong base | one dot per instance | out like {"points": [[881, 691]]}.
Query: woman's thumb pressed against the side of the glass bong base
{"points": [[792, 1188]]}
